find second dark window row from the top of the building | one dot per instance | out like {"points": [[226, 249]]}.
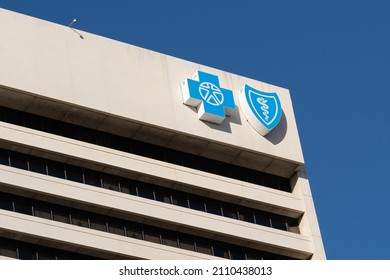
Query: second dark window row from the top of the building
{"points": [[146, 190]]}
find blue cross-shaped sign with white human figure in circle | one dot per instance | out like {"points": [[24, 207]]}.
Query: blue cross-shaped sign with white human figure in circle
{"points": [[204, 93]]}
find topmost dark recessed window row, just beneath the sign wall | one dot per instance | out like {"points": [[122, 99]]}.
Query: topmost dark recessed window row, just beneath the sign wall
{"points": [[143, 149]]}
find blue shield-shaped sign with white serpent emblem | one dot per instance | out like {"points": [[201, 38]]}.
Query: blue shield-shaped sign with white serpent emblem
{"points": [[262, 109]]}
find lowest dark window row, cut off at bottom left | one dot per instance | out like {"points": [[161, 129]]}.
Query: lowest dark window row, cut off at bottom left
{"points": [[27, 251]]}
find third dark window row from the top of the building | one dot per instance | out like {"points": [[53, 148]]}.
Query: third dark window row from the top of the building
{"points": [[130, 229]]}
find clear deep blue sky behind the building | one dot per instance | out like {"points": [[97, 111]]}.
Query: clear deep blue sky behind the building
{"points": [[334, 56]]}
